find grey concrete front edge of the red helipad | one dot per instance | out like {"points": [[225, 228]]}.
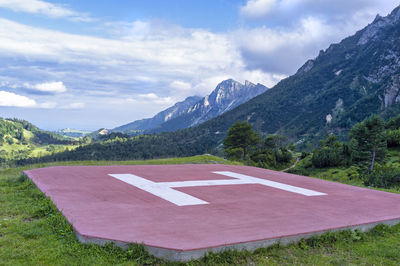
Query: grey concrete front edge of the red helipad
{"points": [[187, 255]]}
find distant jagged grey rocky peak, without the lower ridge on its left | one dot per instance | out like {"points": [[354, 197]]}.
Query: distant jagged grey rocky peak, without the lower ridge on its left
{"points": [[226, 96]]}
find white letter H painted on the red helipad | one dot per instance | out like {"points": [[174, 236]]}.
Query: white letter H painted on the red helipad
{"points": [[165, 190]]}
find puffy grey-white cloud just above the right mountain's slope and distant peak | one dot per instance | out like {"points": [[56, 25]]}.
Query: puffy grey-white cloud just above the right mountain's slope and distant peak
{"points": [[282, 51]]}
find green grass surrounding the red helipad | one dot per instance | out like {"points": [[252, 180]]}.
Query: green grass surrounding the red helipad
{"points": [[33, 232]]}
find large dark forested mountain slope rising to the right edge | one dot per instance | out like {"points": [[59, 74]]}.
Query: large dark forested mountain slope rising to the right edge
{"points": [[343, 85]]}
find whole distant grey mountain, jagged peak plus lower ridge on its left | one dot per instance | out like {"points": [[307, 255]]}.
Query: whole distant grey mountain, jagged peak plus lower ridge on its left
{"points": [[195, 110]]}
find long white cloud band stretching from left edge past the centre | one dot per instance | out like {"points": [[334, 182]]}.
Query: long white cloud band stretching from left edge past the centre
{"points": [[180, 54]]}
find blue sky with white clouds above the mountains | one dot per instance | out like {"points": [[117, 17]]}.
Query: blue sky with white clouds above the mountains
{"points": [[90, 64]]}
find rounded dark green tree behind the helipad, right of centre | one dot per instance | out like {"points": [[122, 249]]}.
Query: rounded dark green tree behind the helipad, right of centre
{"points": [[241, 136]]}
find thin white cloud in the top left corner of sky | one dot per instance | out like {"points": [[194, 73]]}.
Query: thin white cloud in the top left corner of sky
{"points": [[45, 8]]}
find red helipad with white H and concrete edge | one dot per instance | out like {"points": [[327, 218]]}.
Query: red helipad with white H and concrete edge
{"points": [[180, 212]]}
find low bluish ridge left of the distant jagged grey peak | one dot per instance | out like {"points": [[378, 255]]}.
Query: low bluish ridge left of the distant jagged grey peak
{"points": [[163, 116]]}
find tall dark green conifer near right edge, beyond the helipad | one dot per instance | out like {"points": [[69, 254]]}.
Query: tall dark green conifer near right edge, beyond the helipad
{"points": [[368, 141]]}
